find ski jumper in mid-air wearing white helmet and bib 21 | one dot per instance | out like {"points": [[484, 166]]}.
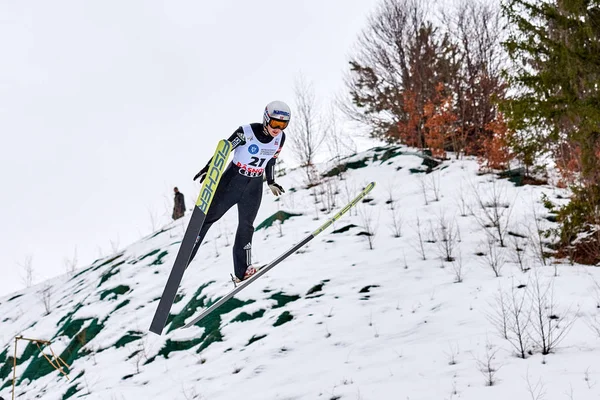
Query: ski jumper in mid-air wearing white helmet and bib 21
{"points": [[255, 150]]}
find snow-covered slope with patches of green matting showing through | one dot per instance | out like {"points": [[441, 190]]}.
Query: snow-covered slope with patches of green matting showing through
{"points": [[340, 320]]}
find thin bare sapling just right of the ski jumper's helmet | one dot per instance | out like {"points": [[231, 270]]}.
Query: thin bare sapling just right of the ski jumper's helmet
{"points": [[306, 137]]}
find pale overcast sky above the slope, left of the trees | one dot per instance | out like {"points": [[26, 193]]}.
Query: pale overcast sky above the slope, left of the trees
{"points": [[105, 106]]}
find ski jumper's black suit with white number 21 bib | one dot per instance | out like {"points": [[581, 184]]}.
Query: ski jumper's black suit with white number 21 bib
{"points": [[241, 184]]}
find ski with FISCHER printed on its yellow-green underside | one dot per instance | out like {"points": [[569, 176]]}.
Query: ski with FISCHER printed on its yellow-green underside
{"points": [[209, 186]]}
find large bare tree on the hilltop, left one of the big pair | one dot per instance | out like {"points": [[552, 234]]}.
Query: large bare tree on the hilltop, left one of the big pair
{"points": [[400, 52]]}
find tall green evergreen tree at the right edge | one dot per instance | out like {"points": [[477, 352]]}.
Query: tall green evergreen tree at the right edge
{"points": [[555, 49]]}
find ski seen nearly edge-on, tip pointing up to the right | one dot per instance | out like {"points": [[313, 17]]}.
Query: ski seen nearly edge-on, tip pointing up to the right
{"points": [[263, 270]]}
